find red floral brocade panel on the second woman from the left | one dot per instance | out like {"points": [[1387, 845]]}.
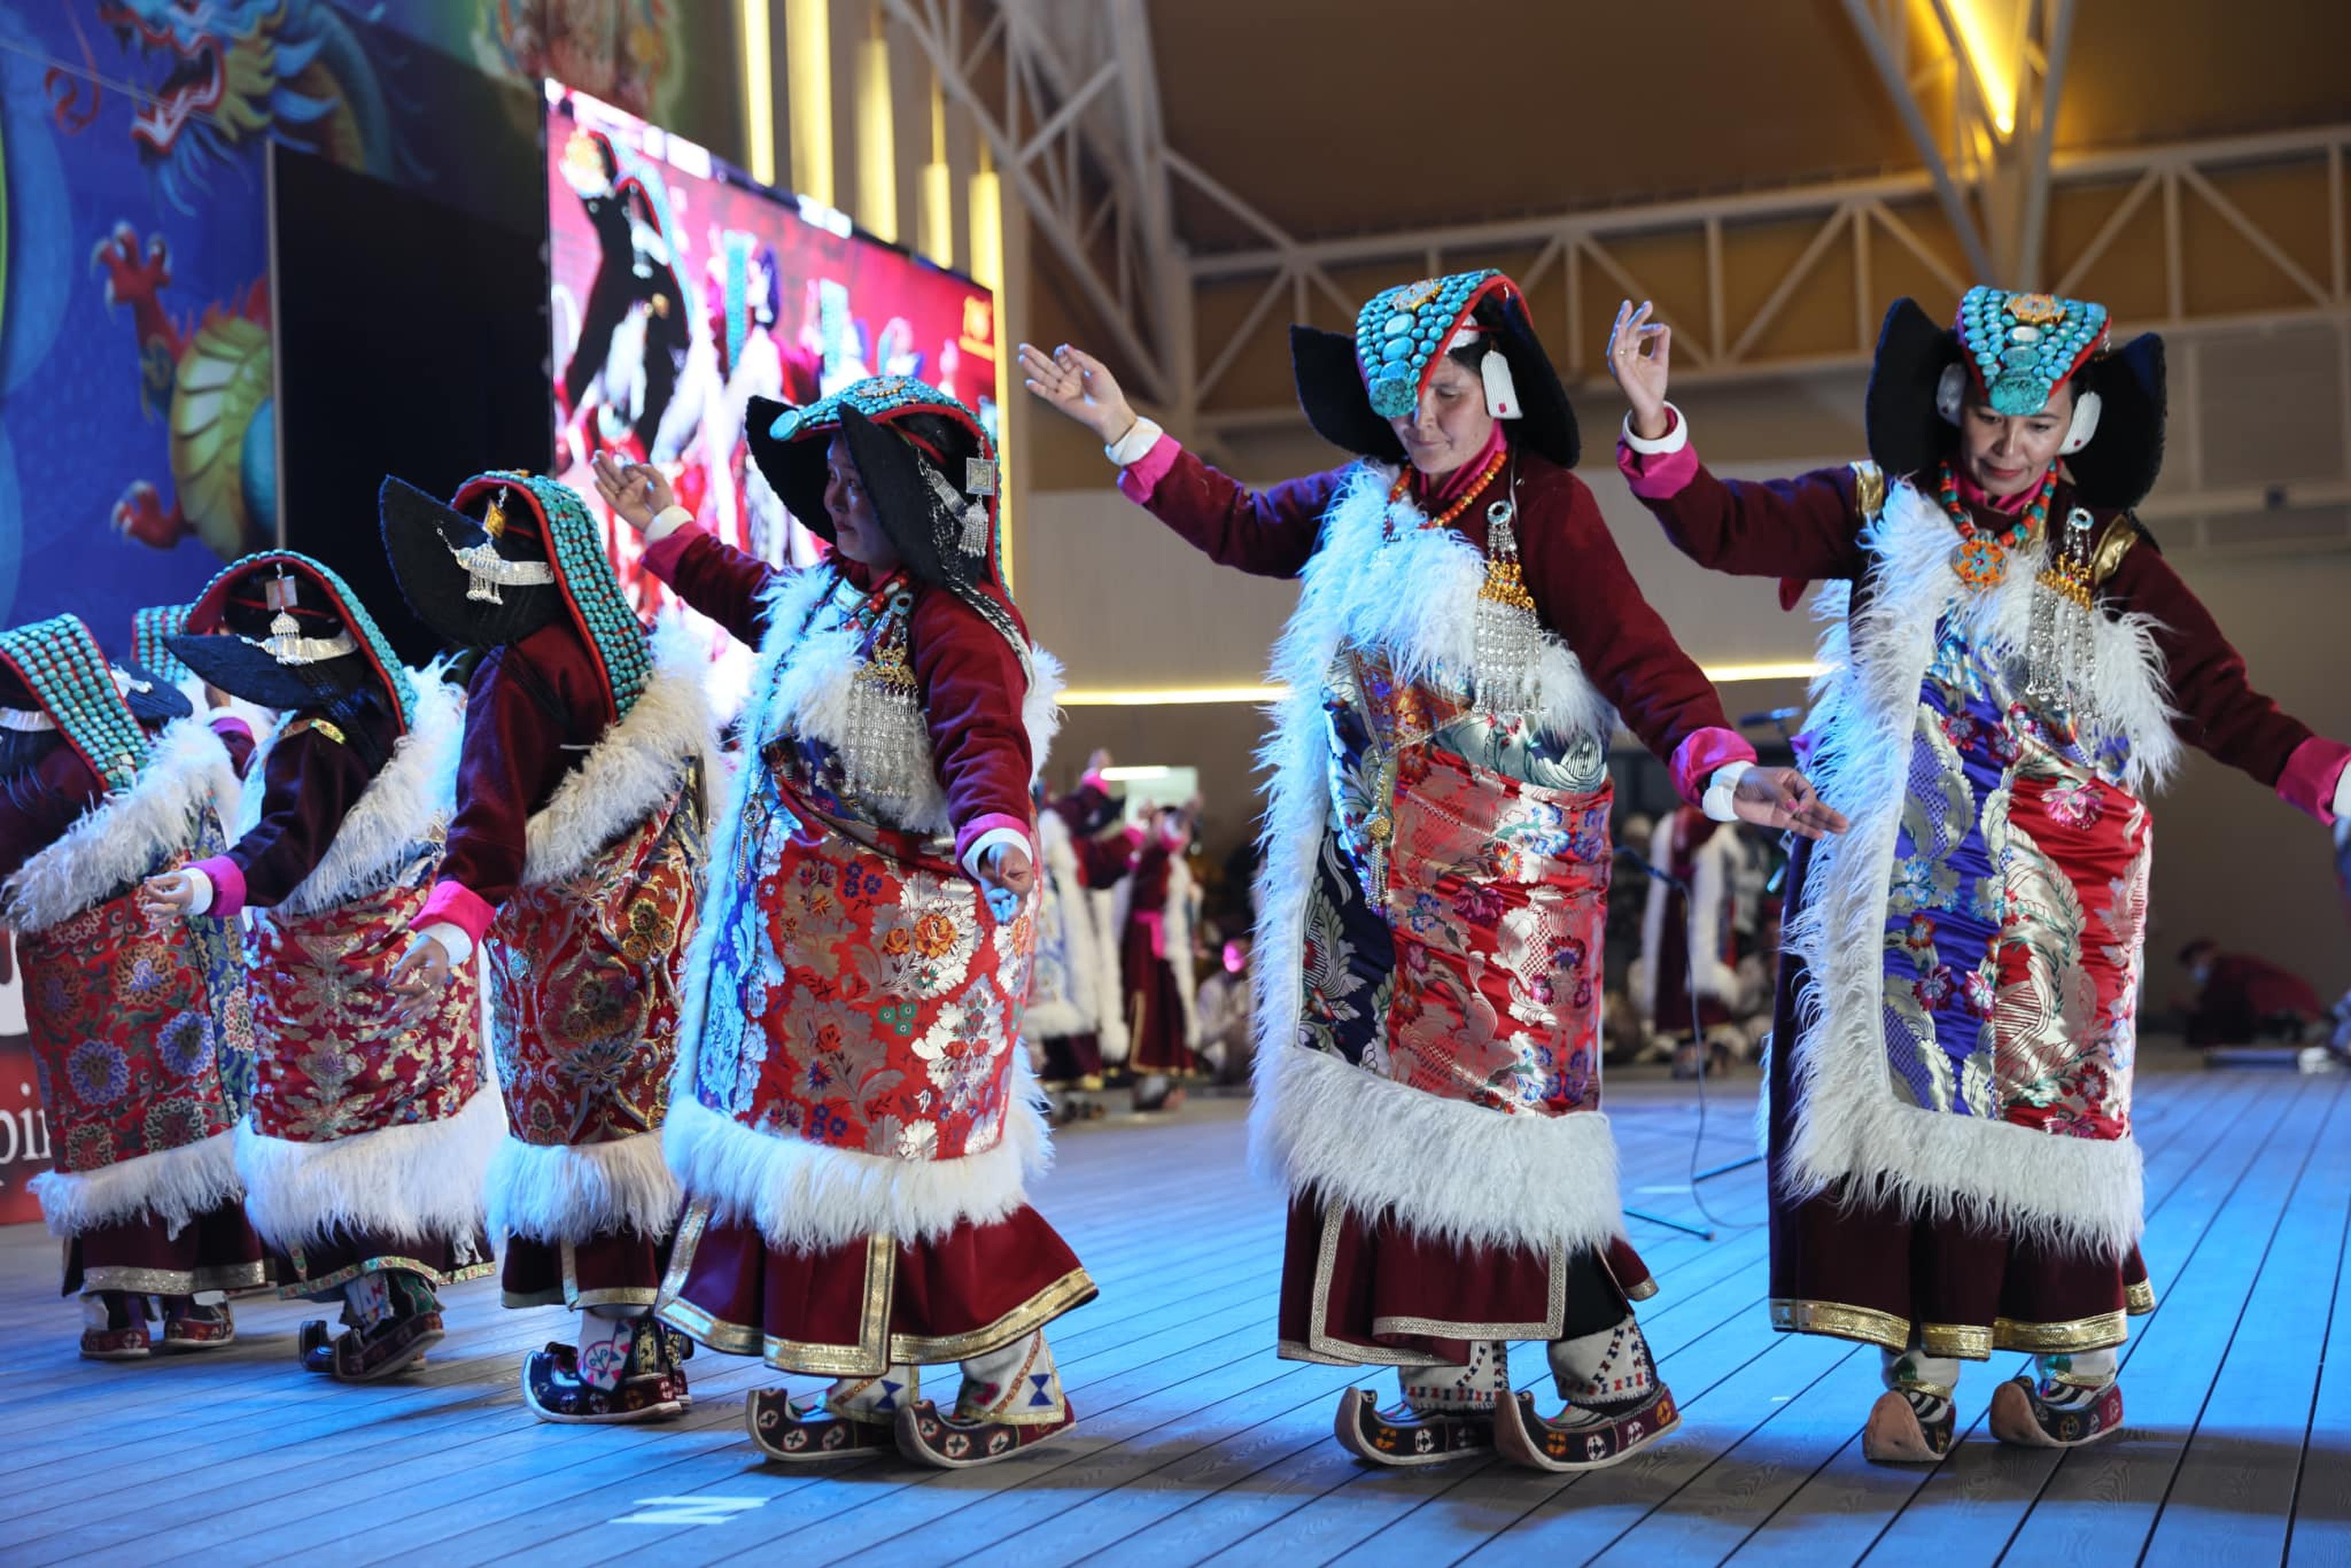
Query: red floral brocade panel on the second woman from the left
{"points": [[333, 1057]]}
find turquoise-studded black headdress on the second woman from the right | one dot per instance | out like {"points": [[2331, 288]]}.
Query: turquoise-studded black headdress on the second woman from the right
{"points": [[1353, 387]]}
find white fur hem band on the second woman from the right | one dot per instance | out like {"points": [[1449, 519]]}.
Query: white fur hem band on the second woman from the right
{"points": [[1445, 1170]]}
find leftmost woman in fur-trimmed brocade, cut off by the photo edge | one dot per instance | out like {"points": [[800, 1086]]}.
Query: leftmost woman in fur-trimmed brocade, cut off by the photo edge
{"points": [[133, 1026]]}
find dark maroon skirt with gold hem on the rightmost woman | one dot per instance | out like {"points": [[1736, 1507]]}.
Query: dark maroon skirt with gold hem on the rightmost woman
{"points": [[1863, 1271]]}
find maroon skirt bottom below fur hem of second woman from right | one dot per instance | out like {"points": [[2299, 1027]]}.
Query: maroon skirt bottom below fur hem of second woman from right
{"points": [[1360, 1294]]}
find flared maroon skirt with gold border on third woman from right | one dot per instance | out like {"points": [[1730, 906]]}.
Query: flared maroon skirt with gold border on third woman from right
{"points": [[869, 1306]]}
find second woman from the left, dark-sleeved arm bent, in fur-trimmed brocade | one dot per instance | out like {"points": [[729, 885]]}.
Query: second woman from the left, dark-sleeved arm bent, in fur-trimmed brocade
{"points": [[370, 1132]]}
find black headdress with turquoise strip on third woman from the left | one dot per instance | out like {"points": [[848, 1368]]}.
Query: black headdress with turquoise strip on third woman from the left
{"points": [[530, 558]]}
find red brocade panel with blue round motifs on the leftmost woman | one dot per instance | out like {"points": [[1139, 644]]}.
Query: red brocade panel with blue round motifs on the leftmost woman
{"points": [[123, 1036]]}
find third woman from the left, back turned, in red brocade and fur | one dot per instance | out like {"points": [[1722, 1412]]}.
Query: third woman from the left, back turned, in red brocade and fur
{"points": [[575, 866]]}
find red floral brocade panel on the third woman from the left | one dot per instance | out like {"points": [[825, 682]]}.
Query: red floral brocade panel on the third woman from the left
{"points": [[587, 986]]}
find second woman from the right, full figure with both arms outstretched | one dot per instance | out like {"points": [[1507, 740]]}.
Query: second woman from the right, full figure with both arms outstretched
{"points": [[1438, 866]]}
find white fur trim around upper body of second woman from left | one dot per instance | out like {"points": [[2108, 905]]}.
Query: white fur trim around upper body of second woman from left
{"points": [[410, 798]]}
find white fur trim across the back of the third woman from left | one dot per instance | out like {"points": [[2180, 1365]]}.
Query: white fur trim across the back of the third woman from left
{"points": [[634, 770]]}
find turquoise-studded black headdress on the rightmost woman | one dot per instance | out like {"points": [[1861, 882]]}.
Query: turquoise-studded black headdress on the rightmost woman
{"points": [[2014, 351]]}
